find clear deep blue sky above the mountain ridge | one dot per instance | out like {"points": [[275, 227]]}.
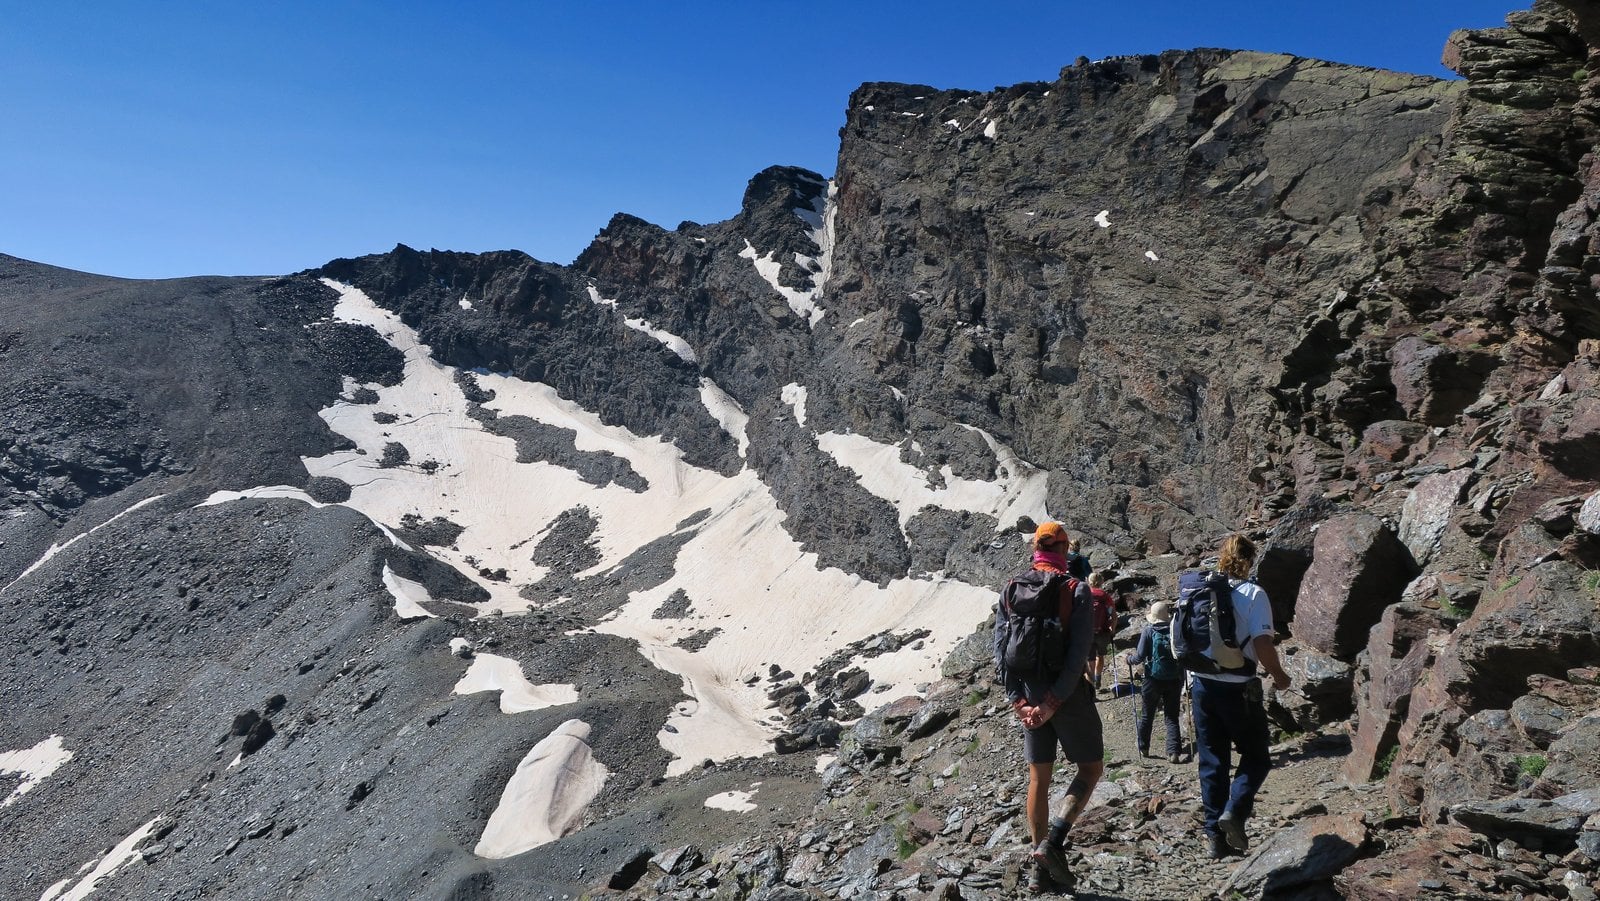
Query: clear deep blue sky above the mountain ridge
{"points": [[177, 138]]}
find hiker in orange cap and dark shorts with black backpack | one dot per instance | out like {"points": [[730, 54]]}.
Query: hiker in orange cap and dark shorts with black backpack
{"points": [[1055, 703]]}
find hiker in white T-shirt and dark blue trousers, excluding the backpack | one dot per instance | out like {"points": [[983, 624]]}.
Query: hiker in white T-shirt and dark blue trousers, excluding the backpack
{"points": [[1230, 710]]}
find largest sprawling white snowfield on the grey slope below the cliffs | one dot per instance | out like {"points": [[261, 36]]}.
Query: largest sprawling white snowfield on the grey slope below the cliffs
{"points": [[746, 574]]}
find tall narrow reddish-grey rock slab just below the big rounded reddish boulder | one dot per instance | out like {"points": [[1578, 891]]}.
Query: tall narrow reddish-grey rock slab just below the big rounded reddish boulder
{"points": [[1391, 667]]}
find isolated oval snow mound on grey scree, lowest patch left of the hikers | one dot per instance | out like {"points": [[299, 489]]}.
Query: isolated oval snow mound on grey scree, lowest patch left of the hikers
{"points": [[546, 796]]}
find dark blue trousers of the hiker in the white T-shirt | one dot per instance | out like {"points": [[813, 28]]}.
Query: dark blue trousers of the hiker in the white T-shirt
{"points": [[1230, 716]]}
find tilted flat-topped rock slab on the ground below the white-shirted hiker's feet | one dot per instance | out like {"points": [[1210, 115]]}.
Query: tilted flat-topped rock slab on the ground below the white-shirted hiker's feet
{"points": [[1308, 852]]}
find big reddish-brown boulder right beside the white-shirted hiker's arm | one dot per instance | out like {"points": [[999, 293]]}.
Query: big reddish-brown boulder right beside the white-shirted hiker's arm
{"points": [[1358, 571]]}
